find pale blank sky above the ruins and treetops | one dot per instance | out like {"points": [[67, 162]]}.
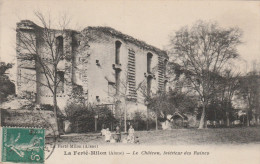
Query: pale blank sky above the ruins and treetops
{"points": [[150, 21]]}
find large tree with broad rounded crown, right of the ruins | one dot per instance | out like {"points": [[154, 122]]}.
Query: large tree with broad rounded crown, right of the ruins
{"points": [[203, 51]]}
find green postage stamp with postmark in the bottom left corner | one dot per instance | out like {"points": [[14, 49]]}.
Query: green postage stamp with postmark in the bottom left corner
{"points": [[23, 145]]}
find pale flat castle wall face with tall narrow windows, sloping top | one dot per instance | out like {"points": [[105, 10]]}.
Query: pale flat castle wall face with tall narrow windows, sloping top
{"points": [[102, 47]]}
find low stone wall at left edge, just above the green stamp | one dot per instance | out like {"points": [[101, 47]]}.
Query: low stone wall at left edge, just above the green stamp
{"points": [[29, 118]]}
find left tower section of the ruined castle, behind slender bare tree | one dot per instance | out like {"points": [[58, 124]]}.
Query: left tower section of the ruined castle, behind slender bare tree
{"points": [[31, 80]]}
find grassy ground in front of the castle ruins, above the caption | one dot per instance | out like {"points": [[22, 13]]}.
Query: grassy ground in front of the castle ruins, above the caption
{"points": [[241, 135]]}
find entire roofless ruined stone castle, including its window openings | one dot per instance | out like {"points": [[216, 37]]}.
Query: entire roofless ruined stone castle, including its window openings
{"points": [[113, 64]]}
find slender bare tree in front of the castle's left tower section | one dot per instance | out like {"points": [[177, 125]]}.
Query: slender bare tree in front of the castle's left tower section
{"points": [[47, 58]]}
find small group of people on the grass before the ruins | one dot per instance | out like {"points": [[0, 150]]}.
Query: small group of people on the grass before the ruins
{"points": [[117, 137]]}
